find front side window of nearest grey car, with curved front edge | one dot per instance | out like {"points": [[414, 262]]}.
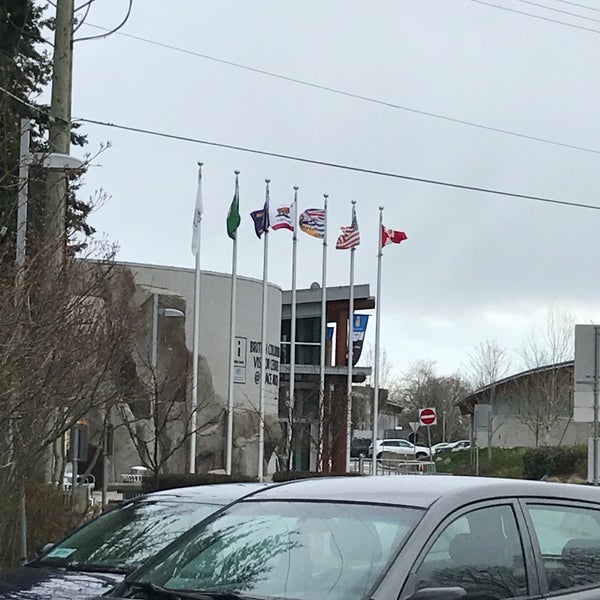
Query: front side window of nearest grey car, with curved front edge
{"points": [[480, 551]]}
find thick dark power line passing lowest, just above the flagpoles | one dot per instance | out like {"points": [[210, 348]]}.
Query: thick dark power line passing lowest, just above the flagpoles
{"points": [[336, 165]]}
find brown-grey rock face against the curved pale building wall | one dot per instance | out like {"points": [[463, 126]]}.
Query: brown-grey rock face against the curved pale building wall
{"points": [[151, 418]]}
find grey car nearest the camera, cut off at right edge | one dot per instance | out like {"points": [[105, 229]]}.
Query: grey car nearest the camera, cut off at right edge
{"points": [[406, 537]]}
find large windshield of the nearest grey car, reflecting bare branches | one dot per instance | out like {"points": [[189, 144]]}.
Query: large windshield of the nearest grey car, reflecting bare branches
{"points": [[277, 549]]}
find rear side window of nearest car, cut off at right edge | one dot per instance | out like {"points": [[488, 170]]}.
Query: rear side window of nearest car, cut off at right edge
{"points": [[569, 542]]}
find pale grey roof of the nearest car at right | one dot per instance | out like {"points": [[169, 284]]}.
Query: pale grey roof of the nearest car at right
{"points": [[419, 490]]}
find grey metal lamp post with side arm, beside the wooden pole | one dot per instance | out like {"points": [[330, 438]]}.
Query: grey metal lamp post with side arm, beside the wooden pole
{"points": [[55, 162]]}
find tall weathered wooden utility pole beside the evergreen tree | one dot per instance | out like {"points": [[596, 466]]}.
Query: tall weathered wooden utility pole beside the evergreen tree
{"points": [[60, 123]]}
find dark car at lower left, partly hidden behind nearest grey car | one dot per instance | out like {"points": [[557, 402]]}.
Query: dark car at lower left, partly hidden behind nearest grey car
{"points": [[98, 555]]}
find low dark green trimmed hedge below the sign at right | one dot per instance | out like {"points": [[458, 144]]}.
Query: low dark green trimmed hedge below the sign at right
{"points": [[554, 461]]}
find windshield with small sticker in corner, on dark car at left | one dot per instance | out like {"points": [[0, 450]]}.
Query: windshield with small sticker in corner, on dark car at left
{"points": [[123, 538]]}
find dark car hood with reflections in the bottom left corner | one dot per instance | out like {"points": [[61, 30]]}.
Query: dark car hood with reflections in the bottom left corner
{"points": [[38, 583]]}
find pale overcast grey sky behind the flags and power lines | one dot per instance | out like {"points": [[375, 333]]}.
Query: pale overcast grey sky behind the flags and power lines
{"points": [[475, 266]]}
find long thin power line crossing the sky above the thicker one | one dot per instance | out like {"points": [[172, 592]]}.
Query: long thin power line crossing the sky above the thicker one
{"points": [[355, 96]]}
